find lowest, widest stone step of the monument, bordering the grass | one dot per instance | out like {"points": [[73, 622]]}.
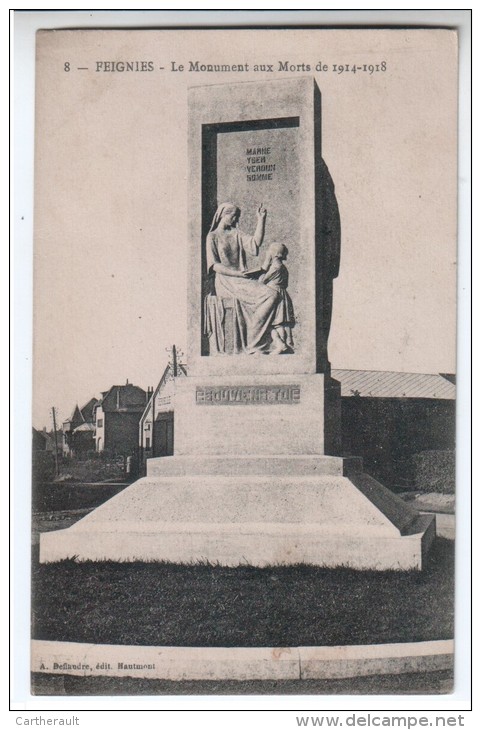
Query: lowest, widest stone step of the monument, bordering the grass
{"points": [[247, 544]]}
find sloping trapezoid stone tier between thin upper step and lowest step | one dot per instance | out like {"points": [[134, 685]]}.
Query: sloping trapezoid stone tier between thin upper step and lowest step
{"points": [[324, 499]]}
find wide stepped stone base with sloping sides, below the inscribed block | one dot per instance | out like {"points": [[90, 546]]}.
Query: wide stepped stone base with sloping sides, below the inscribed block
{"points": [[320, 510]]}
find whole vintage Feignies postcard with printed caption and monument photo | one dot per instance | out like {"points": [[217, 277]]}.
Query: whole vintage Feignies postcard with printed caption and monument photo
{"points": [[245, 261]]}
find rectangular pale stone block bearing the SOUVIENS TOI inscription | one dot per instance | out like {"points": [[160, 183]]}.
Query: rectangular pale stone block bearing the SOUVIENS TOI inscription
{"points": [[257, 415]]}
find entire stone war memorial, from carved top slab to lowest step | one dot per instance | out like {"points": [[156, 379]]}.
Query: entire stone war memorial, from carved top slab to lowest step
{"points": [[257, 475]]}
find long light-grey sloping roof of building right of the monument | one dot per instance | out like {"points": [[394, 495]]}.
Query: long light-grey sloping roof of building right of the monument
{"points": [[381, 384]]}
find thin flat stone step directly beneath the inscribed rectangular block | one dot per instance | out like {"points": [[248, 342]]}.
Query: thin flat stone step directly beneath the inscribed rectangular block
{"points": [[253, 465]]}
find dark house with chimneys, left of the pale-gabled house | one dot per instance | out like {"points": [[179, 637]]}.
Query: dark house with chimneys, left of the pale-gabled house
{"points": [[117, 416]]}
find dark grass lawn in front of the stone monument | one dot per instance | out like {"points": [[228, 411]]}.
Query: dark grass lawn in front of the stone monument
{"points": [[204, 605]]}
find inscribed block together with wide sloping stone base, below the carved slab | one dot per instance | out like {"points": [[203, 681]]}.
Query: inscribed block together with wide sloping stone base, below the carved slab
{"points": [[251, 483]]}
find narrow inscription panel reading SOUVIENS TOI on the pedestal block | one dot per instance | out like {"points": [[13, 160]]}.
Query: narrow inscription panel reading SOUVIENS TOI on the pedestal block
{"points": [[247, 395]]}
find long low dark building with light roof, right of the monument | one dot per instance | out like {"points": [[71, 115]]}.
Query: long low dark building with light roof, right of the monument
{"points": [[391, 419]]}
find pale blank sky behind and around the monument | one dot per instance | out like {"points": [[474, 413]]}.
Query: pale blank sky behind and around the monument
{"points": [[110, 259]]}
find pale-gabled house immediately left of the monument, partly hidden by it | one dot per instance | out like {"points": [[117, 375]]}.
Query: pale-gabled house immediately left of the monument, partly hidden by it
{"points": [[156, 427]]}
